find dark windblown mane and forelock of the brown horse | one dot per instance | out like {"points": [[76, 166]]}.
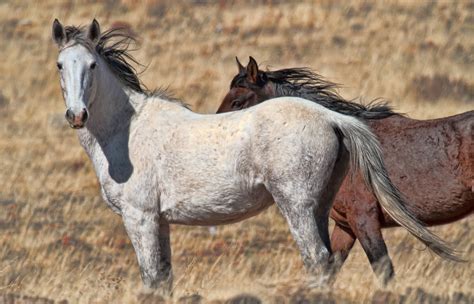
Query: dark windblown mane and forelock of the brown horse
{"points": [[304, 83]]}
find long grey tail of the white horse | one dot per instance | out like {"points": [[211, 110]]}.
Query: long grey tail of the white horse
{"points": [[366, 155]]}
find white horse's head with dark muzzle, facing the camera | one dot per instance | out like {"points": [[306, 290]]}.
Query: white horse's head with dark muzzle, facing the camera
{"points": [[78, 65]]}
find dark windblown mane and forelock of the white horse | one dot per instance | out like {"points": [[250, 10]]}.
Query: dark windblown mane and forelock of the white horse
{"points": [[114, 47]]}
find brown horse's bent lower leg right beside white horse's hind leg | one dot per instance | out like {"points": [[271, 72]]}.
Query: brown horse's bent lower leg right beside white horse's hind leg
{"points": [[342, 240]]}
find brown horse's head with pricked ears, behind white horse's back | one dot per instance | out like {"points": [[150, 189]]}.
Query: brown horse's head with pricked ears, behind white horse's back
{"points": [[248, 88]]}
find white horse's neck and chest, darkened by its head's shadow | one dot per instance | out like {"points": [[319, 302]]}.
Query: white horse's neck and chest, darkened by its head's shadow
{"points": [[106, 135]]}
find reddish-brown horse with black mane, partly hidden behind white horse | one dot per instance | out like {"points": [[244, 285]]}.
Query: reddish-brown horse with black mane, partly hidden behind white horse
{"points": [[430, 161]]}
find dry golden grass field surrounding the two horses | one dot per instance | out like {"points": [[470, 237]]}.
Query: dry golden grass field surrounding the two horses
{"points": [[59, 241]]}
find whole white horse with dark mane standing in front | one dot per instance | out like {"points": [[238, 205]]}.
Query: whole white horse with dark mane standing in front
{"points": [[158, 163]]}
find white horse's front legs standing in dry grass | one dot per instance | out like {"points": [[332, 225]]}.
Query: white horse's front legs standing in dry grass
{"points": [[152, 247]]}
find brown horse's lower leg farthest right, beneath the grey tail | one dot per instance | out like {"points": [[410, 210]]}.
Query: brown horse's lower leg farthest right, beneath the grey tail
{"points": [[367, 229]]}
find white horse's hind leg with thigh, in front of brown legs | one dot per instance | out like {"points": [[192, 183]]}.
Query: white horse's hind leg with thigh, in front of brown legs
{"points": [[304, 190]]}
